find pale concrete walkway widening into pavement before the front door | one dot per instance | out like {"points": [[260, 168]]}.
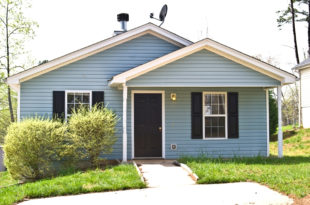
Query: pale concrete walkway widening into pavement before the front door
{"points": [[174, 186]]}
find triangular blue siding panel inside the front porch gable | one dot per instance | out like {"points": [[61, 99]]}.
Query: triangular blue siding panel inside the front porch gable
{"points": [[203, 69]]}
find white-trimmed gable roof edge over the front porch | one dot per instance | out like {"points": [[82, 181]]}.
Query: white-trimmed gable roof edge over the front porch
{"points": [[213, 46]]}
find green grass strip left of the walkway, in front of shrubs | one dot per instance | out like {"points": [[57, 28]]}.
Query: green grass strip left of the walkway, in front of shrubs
{"points": [[115, 178]]}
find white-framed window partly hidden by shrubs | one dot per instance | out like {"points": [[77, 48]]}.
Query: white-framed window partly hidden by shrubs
{"points": [[75, 99]]}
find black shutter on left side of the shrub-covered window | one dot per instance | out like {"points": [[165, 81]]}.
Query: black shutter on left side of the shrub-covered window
{"points": [[59, 104]]}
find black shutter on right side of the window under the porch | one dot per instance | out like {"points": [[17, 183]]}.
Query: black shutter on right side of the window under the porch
{"points": [[233, 115]]}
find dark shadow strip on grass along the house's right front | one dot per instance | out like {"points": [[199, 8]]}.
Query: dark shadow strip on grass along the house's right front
{"points": [[272, 160]]}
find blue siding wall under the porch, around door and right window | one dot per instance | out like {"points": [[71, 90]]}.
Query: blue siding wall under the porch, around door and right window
{"points": [[252, 139]]}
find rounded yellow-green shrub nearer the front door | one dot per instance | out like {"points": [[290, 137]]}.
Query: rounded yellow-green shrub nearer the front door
{"points": [[92, 132]]}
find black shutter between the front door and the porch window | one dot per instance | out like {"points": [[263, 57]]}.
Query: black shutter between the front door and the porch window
{"points": [[196, 115]]}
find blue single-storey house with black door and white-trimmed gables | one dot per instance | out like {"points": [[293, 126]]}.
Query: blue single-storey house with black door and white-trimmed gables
{"points": [[174, 97]]}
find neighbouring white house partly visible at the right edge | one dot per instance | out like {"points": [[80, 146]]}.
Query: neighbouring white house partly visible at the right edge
{"points": [[304, 81]]}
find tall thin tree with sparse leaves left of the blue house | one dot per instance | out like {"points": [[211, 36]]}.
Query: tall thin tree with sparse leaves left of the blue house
{"points": [[15, 29]]}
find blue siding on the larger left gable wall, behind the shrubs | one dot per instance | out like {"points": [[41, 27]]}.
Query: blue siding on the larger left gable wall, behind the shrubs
{"points": [[92, 73]]}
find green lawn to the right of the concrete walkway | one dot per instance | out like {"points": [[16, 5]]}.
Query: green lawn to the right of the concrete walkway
{"points": [[289, 175]]}
